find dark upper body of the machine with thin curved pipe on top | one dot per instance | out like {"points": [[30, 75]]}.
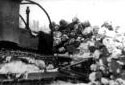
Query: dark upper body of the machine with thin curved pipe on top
{"points": [[10, 31]]}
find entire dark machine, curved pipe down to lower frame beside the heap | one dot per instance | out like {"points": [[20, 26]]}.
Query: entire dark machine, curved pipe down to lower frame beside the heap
{"points": [[14, 38]]}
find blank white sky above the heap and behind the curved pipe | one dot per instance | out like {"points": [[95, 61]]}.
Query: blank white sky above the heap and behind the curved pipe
{"points": [[95, 11]]}
